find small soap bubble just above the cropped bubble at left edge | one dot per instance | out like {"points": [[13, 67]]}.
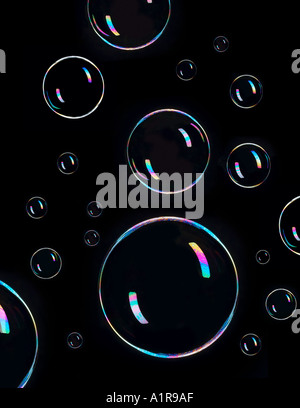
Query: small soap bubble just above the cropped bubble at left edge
{"points": [[45, 263]]}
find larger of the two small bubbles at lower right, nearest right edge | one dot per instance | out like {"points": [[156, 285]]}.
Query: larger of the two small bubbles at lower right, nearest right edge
{"points": [[281, 304]]}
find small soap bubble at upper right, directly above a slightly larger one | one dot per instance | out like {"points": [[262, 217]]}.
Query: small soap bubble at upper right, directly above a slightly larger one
{"points": [[246, 91]]}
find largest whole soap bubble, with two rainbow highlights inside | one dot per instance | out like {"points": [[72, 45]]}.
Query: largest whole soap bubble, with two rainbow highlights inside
{"points": [[168, 287]]}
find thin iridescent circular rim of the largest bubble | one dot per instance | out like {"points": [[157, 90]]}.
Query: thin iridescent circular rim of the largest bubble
{"points": [[222, 328]]}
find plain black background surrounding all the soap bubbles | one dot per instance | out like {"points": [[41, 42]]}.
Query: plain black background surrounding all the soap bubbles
{"points": [[34, 36]]}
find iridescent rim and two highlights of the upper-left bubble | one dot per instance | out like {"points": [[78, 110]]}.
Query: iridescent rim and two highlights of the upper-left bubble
{"points": [[55, 108]]}
